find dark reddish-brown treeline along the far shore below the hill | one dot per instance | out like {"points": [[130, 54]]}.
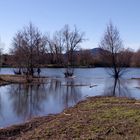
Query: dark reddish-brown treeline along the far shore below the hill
{"points": [[84, 58]]}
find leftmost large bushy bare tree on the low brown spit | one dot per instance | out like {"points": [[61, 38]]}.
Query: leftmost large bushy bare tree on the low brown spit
{"points": [[28, 48]]}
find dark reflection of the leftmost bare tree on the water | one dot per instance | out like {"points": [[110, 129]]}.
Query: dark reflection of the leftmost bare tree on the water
{"points": [[26, 99]]}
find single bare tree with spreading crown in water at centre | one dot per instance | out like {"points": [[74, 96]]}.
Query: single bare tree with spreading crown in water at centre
{"points": [[72, 41]]}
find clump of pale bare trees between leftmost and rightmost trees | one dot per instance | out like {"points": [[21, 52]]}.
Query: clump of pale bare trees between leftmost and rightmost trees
{"points": [[62, 45]]}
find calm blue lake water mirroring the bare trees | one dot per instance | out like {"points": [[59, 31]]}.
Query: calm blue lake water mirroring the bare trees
{"points": [[19, 103]]}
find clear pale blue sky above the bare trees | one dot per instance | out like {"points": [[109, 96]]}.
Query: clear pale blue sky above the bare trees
{"points": [[90, 16]]}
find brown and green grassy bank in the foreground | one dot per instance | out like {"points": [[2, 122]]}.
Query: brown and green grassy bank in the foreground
{"points": [[96, 118]]}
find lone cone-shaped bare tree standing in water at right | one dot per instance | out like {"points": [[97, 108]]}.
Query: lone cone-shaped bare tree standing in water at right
{"points": [[113, 51]]}
